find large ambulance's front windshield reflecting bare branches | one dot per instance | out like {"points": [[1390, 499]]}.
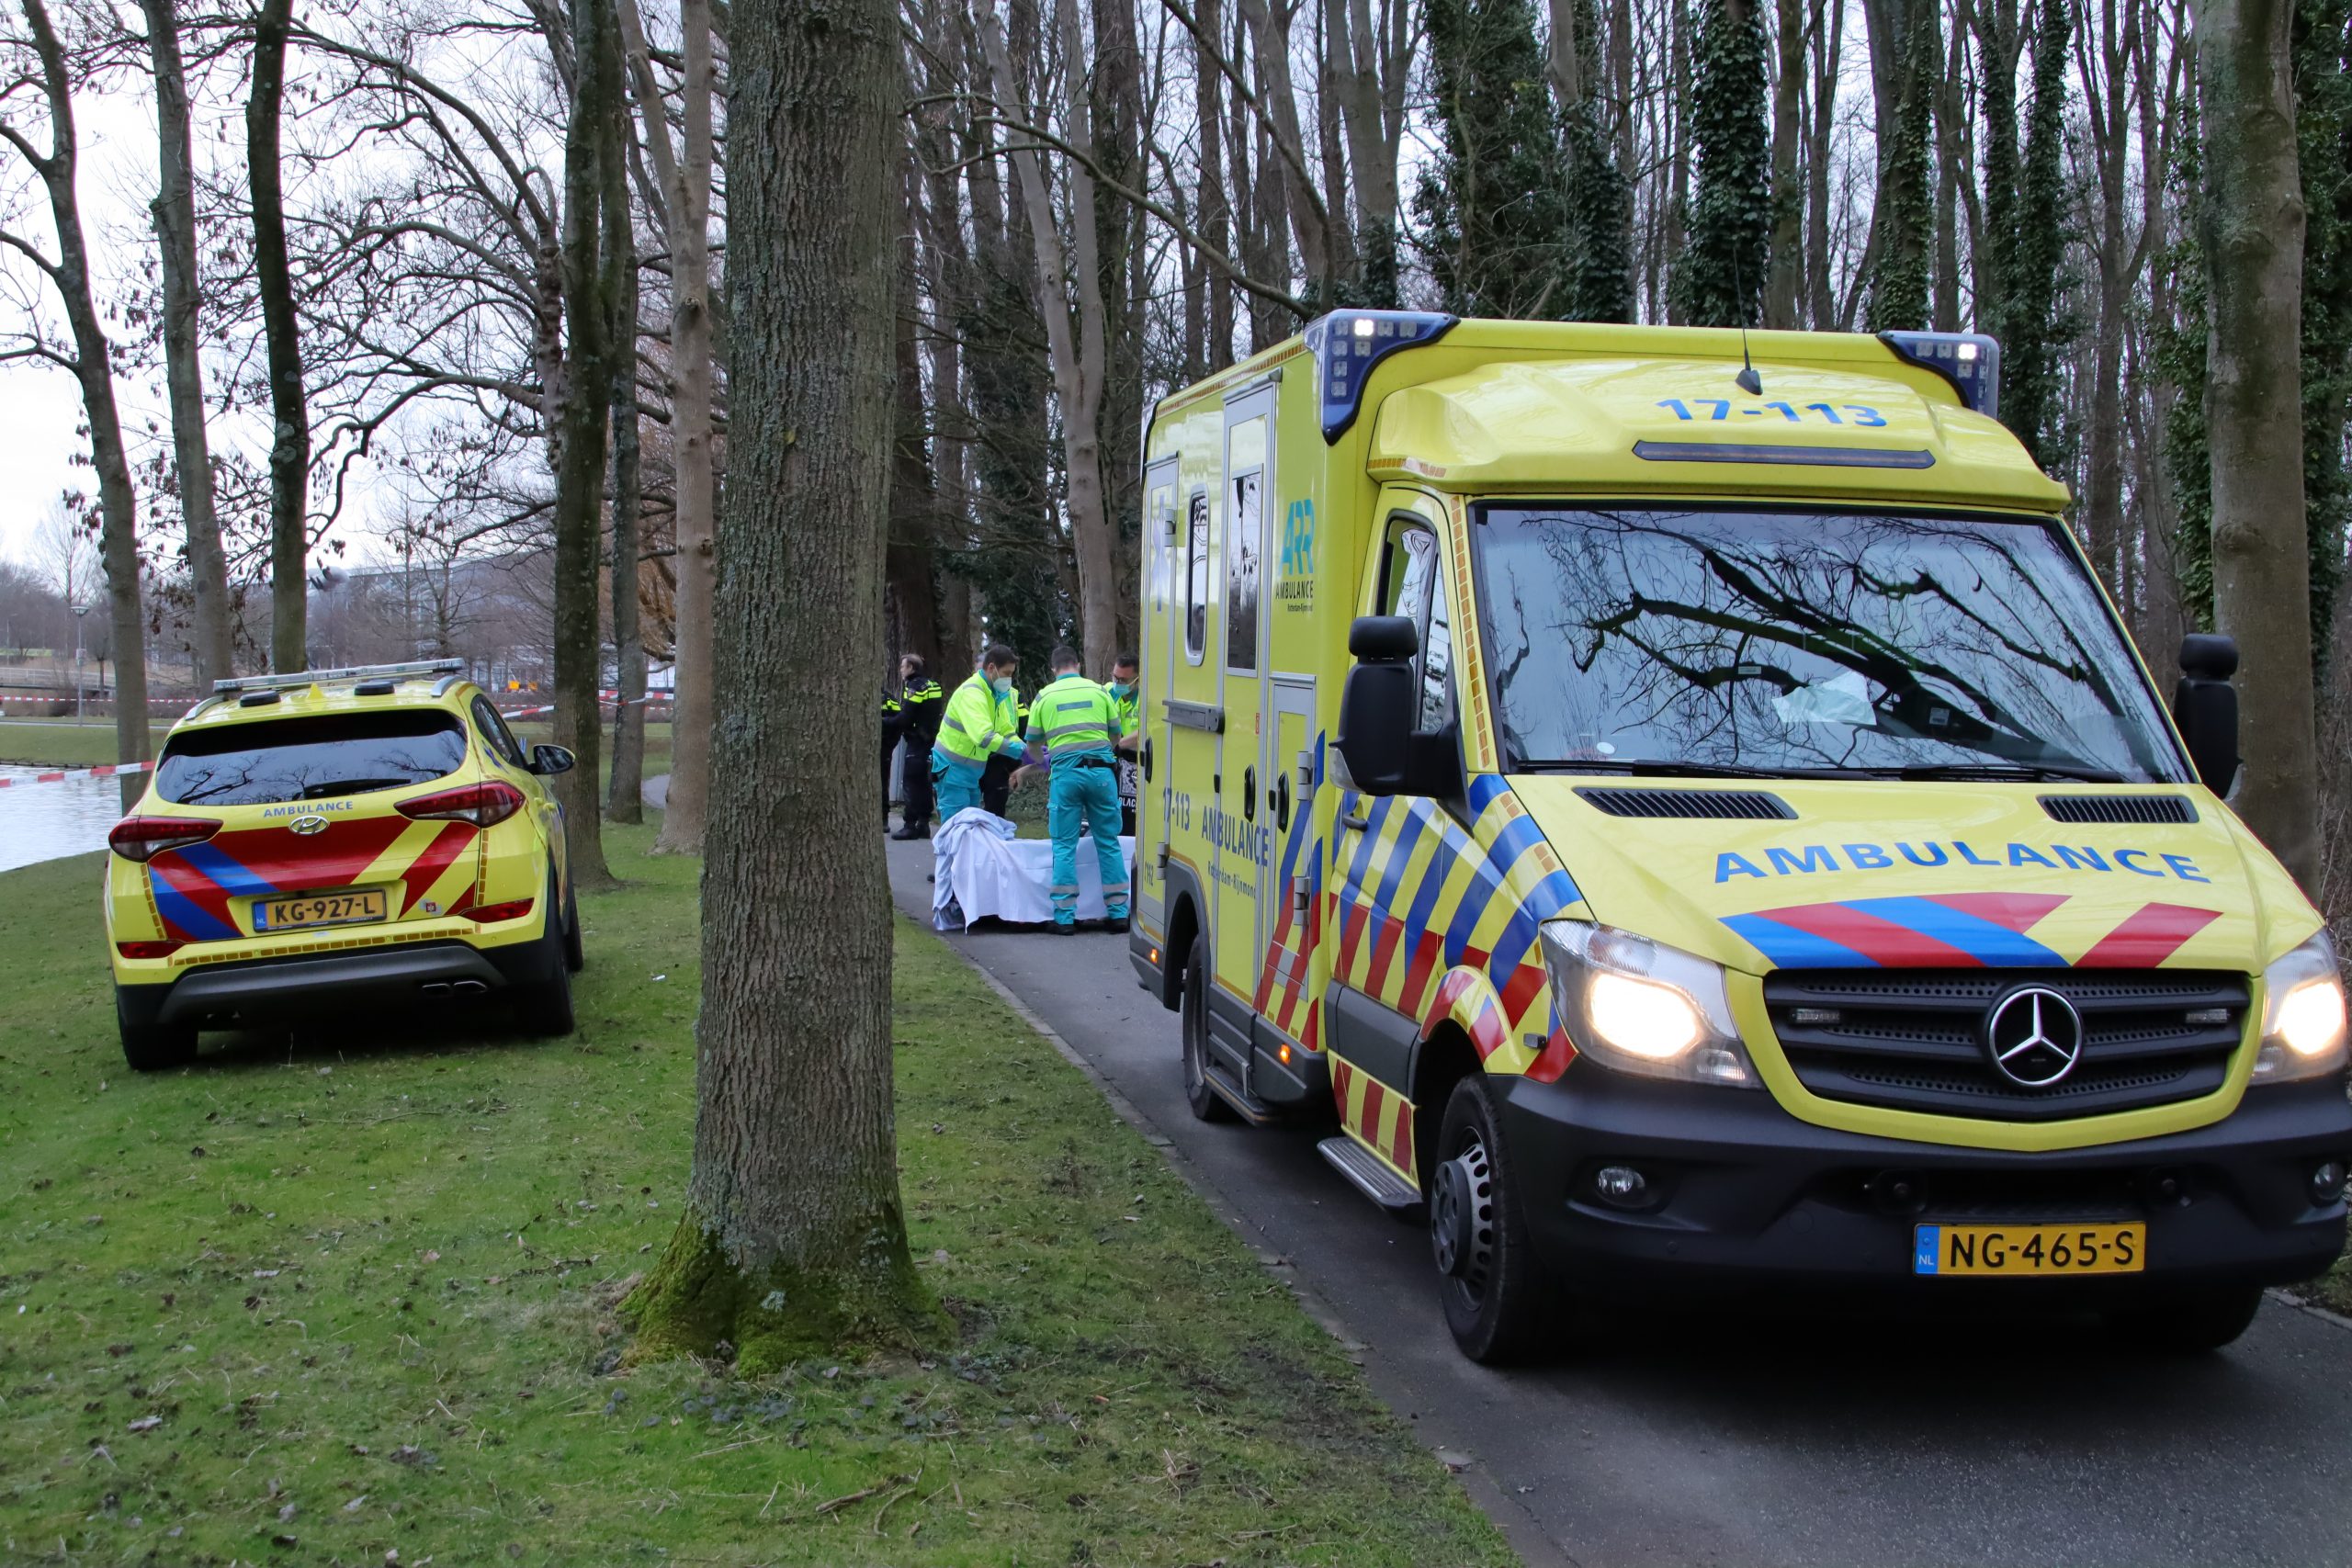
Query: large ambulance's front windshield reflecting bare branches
{"points": [[1805, 643]]}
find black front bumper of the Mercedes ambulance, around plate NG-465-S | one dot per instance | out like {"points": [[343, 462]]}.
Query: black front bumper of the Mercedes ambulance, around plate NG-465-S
{"points": [[1746, 1195]]}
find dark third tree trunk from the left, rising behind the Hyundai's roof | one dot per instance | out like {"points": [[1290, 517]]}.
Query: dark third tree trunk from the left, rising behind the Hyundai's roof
{"points": [[274, 283]]}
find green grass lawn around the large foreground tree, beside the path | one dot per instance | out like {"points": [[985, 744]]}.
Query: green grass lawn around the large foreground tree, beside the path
{"points": [[354, 1294]]}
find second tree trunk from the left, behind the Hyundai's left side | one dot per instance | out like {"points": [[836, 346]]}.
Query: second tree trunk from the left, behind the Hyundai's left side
{"points": [[185, 375]]}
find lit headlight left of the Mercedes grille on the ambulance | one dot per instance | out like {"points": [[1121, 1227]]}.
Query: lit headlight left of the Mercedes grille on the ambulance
{"points": [[1638, 1007]]}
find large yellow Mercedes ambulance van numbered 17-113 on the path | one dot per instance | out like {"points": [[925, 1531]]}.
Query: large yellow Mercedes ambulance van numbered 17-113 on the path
{"points": [[1692, 817]]}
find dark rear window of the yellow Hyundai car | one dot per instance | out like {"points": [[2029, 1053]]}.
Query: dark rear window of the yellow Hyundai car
{"points": [[309, 758]]}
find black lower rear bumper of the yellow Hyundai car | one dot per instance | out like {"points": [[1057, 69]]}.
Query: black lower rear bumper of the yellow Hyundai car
{"points": [[295, 989]]}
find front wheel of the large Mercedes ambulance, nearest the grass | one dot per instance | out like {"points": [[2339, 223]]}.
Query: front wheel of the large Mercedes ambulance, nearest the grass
{"points": [[1490, 1280]]}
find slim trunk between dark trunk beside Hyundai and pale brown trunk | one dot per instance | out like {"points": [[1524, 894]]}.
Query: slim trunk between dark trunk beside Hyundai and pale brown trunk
{"points": [[624, 798]]}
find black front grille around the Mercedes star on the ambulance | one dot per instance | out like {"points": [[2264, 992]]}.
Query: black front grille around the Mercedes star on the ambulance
{"points": [[1913, 1038]]}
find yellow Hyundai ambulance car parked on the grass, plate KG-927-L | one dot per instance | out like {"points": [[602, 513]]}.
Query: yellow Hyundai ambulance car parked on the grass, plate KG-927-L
{"points": [[326, 845]]}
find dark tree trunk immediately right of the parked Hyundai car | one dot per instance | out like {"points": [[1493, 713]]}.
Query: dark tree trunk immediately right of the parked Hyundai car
{"points": [[589, 264]]}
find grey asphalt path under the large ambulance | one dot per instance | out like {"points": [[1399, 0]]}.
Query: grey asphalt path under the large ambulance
{"points": [[1728, 1438]]}
